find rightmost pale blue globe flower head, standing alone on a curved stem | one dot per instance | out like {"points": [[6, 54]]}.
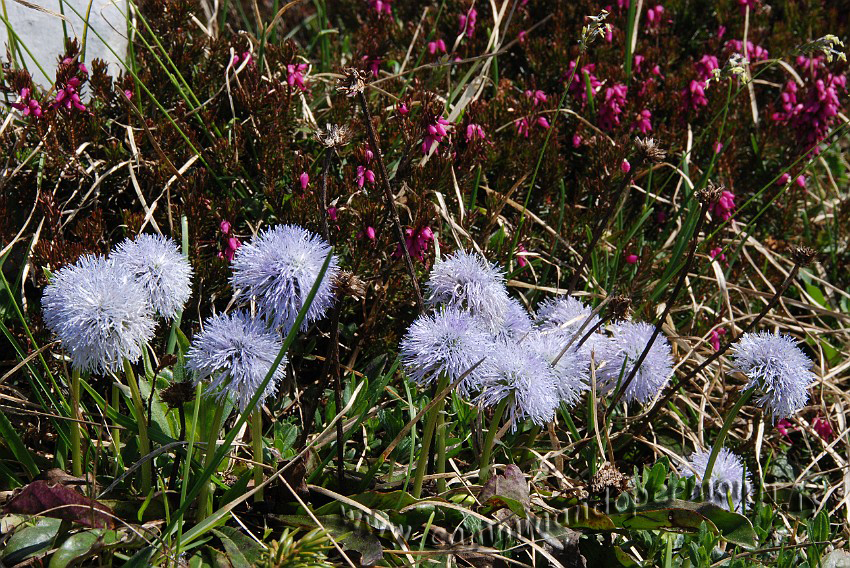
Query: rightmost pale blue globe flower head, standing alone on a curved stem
{"points": [[778, 370]]}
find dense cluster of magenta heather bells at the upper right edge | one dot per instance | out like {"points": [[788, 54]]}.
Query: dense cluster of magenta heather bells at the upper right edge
{"points": [[811, 110]]}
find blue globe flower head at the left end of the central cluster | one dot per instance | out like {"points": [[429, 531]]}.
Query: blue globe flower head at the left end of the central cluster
{"points": [[449, 341]]}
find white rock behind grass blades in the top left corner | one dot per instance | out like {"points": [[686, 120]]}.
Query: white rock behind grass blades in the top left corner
{"points": [[41, 32]]}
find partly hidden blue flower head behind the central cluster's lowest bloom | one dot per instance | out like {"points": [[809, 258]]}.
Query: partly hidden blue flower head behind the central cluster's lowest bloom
{"points": [[571, 368]]}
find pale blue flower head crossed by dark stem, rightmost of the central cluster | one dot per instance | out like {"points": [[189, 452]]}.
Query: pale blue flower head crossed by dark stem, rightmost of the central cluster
{"points": [[621, 351]]}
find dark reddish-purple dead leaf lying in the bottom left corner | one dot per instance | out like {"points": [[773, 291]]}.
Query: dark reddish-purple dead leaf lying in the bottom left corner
{"points": [[60, 502]]}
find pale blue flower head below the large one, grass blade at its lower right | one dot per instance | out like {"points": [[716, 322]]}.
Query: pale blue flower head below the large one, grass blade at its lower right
{"points": [[236, 351]]}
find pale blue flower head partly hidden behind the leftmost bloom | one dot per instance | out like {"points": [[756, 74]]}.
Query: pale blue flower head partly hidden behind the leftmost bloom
{"points": [[155, 262]]}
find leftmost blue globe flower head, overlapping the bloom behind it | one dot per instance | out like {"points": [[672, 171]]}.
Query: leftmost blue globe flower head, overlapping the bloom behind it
{"points": [[99, 316]]}
